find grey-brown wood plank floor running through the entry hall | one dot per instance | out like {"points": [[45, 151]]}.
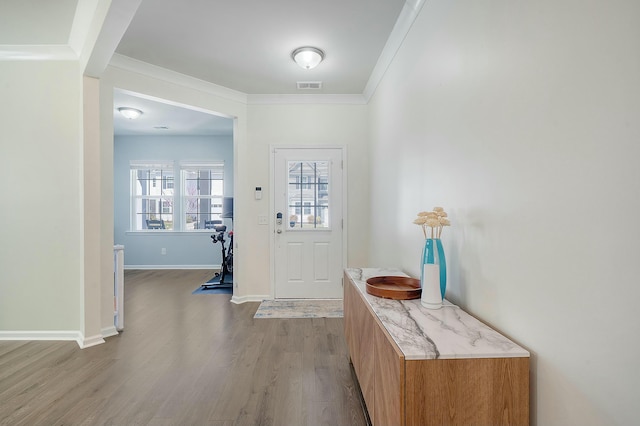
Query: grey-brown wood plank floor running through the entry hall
{"points": [[184, 359]]}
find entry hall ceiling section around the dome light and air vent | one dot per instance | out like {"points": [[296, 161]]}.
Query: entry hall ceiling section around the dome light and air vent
{"points": [[246, 45]]}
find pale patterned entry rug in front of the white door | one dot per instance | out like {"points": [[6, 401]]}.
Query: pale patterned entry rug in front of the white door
{"points": [[300, 308]]}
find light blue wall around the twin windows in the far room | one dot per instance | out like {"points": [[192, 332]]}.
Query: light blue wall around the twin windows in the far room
{"points": [[182, 249]]}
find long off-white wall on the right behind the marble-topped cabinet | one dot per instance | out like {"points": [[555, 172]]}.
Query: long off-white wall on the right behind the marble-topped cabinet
{"points": [[521, 119]]}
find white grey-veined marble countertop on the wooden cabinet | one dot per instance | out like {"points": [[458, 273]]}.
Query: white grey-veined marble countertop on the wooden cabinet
{"points": [[422, 333]]}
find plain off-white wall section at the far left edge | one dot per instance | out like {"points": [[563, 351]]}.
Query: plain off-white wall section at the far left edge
{"points": [[41, 240]]}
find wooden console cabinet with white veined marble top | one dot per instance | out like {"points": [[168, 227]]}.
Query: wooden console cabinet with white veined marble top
{"points": [[432, 379]]}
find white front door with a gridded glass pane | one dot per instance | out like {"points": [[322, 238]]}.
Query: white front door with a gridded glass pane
{"points": [[308, 244]]}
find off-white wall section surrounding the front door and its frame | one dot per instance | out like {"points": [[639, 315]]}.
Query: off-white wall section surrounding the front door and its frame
{"points": [[305, 124]]}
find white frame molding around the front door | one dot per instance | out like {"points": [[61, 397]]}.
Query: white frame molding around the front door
{"points": [[272, 228]]}
